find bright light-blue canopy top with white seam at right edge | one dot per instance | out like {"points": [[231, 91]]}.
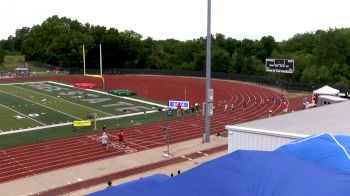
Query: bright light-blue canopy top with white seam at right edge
{"points": [[325, 149]]}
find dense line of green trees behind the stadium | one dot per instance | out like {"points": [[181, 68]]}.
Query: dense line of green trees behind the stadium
{"points": [[320, 57]]}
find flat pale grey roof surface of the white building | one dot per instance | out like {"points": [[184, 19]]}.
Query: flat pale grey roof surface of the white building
{"points": [[333, 118]]}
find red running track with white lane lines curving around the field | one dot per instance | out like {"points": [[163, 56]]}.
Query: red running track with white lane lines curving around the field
{"points": [[38, 158]]}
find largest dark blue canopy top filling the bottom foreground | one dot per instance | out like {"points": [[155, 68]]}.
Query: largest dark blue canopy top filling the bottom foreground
{"points": [[252, 173]]}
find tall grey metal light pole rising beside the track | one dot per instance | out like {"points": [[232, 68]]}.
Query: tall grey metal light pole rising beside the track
{"points": [[208, 75]]}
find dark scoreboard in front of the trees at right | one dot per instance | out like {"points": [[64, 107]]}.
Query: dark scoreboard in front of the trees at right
{"points": [[279, 65]]}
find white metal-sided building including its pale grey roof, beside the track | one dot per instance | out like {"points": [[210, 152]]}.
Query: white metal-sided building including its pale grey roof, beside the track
{"points": [[271, 133]]}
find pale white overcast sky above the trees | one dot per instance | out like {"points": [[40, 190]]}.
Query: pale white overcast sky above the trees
{"points": [[184, 19]]}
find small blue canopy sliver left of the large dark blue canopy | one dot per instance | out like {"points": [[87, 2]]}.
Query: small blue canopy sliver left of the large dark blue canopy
{"points": [[131, 188]]}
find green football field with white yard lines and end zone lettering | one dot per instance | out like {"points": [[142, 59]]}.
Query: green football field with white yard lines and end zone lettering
{"points": [[38, 105]]}
